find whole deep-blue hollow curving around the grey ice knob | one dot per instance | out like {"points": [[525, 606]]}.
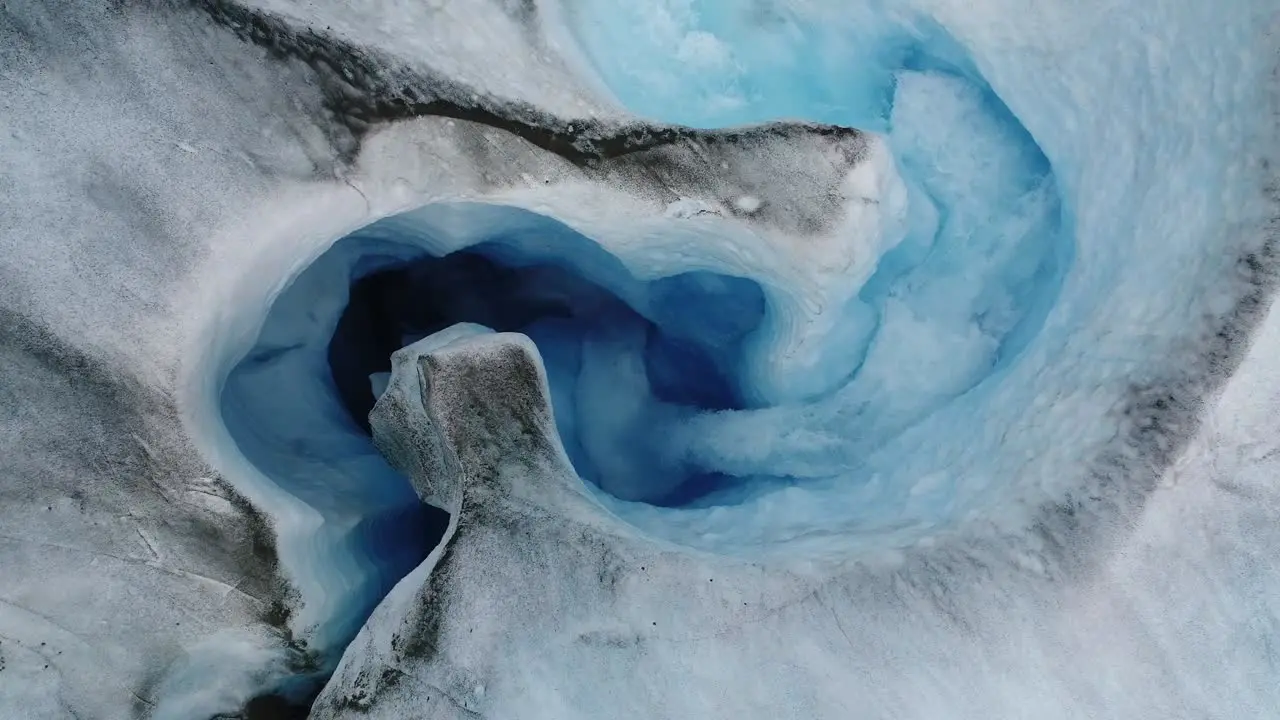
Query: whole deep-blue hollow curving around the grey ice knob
{"points": [[628, 359]]}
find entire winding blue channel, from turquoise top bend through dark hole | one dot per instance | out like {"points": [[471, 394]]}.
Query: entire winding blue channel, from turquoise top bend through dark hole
{"points": [[651, 381]]}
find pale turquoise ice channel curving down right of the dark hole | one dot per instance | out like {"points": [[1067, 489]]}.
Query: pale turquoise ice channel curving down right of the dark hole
{"points": [[936, 417]]}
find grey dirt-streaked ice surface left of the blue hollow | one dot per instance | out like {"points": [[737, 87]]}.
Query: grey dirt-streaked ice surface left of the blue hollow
{"points": [[125, 148]]}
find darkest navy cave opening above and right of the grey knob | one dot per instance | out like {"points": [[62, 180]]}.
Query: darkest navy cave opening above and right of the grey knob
{"points": [[620, 371]]}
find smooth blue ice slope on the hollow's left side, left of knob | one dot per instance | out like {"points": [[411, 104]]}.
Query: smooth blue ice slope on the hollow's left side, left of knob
{"points": [[286, 420]]}
